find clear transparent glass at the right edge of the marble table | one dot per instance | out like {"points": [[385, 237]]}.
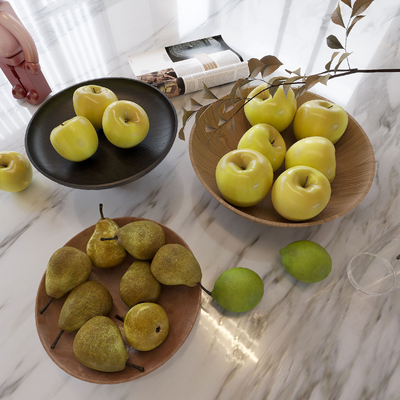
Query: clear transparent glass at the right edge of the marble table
{"points": [[376, 270]]}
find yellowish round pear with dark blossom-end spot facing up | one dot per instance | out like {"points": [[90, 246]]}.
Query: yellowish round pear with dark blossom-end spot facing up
{"points": [[146, 326]]}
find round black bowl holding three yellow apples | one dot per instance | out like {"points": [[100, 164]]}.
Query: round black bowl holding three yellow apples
{"points": [[110, 166]]}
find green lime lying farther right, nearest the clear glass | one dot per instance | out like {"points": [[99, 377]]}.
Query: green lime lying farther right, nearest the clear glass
{"points": [[306, 261]]}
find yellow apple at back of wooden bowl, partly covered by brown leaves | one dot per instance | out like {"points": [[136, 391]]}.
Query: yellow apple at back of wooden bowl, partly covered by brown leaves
{"points": [[278, 110]]}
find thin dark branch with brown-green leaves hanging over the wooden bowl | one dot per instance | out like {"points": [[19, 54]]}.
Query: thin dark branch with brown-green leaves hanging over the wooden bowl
{"points": [[261, 69]]}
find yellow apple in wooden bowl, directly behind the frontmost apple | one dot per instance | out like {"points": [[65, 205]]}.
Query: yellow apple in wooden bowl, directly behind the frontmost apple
{"points": [[315, 151]]}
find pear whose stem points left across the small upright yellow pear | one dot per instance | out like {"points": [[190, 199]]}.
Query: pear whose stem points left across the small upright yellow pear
{"points": [[141, 239]]}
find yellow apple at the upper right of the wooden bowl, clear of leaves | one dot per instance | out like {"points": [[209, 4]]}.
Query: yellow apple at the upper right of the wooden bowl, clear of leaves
{"points": [[320, 118]]}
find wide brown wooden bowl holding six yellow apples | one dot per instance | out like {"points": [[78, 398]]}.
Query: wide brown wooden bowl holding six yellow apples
{"points": [[355, 165]]}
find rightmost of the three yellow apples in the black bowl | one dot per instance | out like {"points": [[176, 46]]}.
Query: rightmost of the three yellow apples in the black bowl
{"points": [[125, 123]]}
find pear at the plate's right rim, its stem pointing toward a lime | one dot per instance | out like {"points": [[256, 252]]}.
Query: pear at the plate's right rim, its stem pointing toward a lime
{"points": [[174, 264]]}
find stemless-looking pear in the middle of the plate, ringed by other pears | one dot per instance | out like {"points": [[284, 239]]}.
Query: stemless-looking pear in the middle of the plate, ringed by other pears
{"points": [[138, 284]]}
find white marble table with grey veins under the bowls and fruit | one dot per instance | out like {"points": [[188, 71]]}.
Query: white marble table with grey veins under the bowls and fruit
{"points": [[321, 341]]}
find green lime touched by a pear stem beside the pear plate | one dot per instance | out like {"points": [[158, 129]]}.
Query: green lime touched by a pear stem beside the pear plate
{"points": [[238, 289]]}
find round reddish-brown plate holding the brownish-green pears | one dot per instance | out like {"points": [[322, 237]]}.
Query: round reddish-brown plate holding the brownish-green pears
{"points": [[180, 302]]}
